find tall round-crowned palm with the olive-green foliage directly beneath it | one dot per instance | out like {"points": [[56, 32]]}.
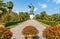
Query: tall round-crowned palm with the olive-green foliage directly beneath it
{"points": [[8, 15]]}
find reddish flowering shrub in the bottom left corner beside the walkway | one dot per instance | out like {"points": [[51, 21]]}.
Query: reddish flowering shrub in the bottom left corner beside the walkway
{"points": [[5, 33]]}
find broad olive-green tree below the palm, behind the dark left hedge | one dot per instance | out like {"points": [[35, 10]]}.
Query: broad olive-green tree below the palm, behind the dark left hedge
{"points": [[11, 17]]}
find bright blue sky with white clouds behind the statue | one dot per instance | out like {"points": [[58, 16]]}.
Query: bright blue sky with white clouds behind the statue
{"points": [[50, 6]]}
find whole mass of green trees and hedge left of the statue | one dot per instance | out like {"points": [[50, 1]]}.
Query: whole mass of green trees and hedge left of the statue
{"points": [[11, 18]]}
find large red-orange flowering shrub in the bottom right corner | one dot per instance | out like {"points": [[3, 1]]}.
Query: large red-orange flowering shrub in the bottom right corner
{"points": [[52, 32]]}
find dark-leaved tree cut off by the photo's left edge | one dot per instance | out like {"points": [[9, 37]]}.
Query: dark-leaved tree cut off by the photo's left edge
{"points": [[2, 10]]}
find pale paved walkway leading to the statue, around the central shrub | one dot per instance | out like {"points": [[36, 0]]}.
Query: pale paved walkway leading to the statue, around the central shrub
{"points": [[18, 29]]}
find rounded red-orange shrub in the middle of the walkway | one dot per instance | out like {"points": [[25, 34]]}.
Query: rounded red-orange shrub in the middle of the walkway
{"points": [[30, 30]]}
